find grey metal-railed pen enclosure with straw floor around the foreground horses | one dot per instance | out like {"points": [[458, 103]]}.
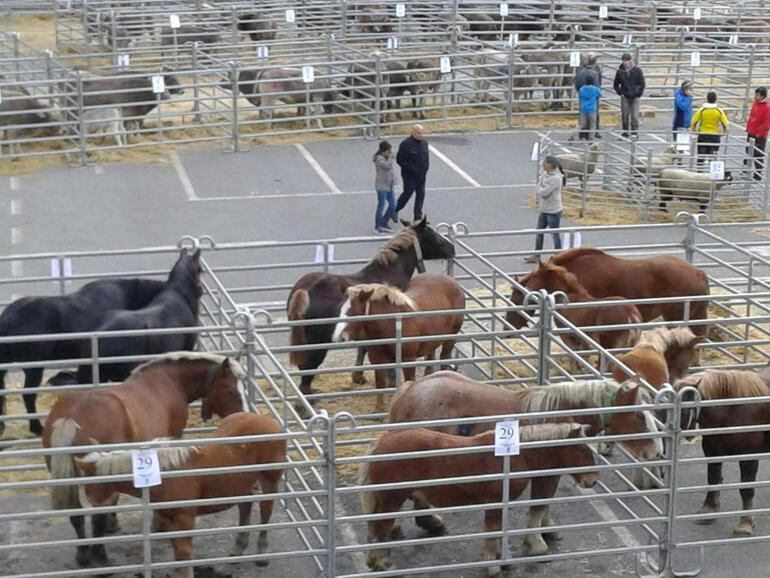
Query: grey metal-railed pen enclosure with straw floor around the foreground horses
{"points": [[616, 528]]}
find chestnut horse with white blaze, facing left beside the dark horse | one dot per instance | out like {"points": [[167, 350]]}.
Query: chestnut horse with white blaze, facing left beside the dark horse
{"points": [[425, 292]]}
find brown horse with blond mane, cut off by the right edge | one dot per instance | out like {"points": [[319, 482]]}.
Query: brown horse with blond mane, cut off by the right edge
{"points": [[722, 384]]}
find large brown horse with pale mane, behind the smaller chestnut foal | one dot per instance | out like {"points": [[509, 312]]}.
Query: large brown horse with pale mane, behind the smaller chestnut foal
{"points": [[152, 403]]}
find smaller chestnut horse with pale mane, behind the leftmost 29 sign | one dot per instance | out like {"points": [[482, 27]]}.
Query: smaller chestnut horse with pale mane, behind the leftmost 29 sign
{"points": [[199, 487]]}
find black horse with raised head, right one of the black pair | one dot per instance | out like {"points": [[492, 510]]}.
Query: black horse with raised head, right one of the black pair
{"points": [[175, 306]]}
